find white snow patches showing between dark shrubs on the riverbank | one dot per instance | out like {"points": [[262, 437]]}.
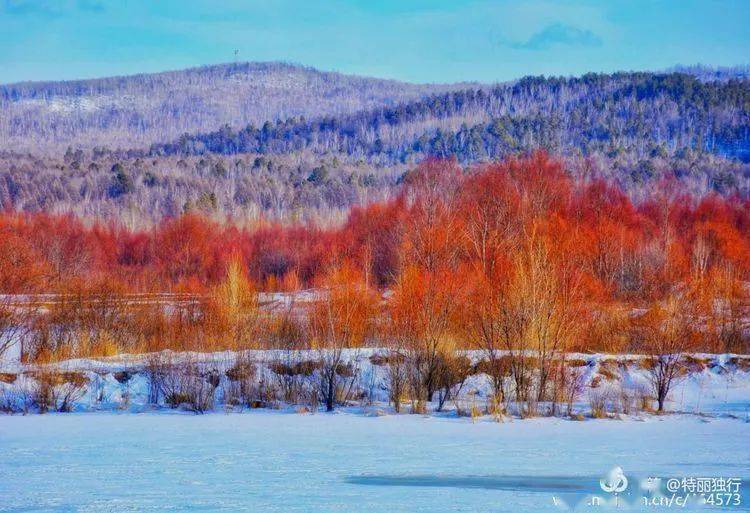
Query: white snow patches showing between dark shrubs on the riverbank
{"points": [[715, 384]]}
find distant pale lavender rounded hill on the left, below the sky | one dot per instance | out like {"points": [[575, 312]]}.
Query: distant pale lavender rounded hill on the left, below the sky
{"points": [[136, 111]]}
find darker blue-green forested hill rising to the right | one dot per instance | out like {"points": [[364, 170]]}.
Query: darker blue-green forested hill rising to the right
{"points": [[642, 114]]}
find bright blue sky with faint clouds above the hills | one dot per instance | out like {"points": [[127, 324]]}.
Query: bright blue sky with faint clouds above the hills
{"points": [[418, 41]]}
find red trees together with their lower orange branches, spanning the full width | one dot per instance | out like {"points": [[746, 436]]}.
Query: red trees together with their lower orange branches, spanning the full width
{"points": [[521, 227]]}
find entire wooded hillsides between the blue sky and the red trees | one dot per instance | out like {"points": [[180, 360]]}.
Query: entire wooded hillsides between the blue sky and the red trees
{"points": [[291, 142]]}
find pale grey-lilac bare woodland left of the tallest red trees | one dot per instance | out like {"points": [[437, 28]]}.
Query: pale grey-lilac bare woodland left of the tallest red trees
{"points": [[142, 191]]}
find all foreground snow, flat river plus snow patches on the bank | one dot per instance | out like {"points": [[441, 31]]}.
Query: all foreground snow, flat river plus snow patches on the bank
{"points": [[116, 452]]}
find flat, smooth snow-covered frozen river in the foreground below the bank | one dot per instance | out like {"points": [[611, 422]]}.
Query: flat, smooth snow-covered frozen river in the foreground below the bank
{"points": [[285, 462]]}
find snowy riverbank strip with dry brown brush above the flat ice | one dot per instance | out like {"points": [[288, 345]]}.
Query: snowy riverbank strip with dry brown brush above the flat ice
{"points": [[598, 386]]}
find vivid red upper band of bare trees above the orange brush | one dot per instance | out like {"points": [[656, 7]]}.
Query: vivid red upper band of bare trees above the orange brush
{"points": [[445, 218]]}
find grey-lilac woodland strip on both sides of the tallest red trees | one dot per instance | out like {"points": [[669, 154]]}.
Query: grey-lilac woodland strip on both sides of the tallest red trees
{"points": [[289, 188]]}
